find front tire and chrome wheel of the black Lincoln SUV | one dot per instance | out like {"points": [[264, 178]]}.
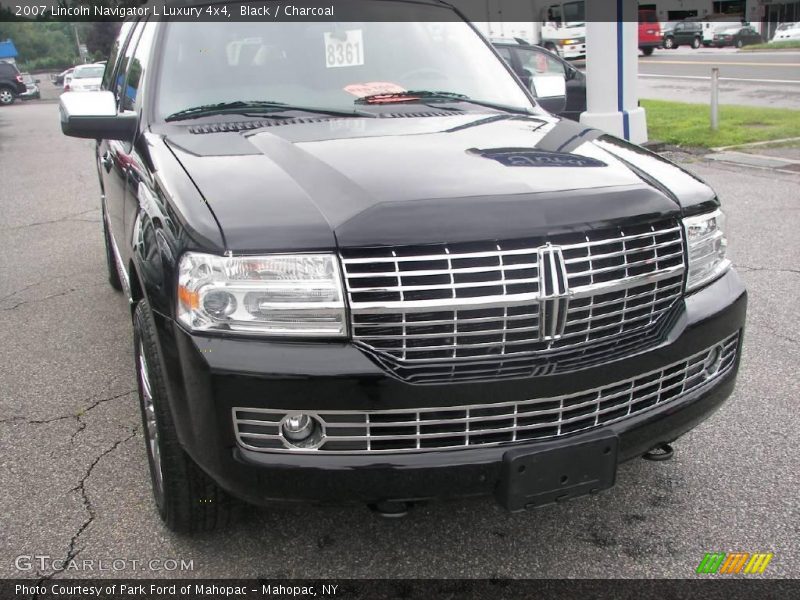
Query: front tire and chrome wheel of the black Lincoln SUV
{"points": [[188, 500]]}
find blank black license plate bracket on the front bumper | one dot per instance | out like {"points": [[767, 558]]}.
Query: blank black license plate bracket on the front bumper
{"points": [[554, 472]]}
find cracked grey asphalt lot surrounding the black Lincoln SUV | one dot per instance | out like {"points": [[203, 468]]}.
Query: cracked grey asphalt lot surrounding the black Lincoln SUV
{"points": [[74, 473]]}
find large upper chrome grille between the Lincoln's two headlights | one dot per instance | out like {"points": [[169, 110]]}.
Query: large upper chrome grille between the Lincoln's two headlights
{"points": [[496, 309]]}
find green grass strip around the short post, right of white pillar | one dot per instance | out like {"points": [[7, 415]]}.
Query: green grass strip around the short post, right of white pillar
{"points": [[690, 124]]}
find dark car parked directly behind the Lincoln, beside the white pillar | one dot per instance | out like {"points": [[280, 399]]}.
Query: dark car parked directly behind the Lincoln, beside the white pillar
{"points": [[531, 63]]}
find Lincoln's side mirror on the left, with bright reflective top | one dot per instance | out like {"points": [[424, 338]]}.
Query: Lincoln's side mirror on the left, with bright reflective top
{"points": [[94, 115]]}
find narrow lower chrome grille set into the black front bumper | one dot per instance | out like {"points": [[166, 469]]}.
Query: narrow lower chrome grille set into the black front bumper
{"points": [[452, 427]]}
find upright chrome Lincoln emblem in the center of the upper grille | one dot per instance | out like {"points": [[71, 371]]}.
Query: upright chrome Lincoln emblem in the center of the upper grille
{"points": [[553, 293]]}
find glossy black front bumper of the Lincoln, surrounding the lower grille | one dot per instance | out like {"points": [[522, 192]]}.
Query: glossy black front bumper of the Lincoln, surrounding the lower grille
{"points": [[208, 376]]}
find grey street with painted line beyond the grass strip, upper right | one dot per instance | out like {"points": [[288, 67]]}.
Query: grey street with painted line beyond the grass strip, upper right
{"points": [[763, 79]]}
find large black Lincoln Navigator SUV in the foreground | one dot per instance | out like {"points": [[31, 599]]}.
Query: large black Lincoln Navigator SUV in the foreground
{"points": [[393, 278]]}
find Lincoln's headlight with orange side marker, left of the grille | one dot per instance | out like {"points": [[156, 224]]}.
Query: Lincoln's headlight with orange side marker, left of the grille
{"points": [[298, 295]]}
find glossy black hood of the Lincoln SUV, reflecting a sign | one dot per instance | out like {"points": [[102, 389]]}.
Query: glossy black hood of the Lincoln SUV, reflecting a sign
{"points": [[316, 183]]}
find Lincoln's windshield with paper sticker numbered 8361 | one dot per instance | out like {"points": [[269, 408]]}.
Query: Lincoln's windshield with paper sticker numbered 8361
{"points": [[330, 66]]}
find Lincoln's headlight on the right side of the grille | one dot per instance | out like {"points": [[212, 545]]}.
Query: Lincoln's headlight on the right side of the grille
{"points": [[705, 238]]}
